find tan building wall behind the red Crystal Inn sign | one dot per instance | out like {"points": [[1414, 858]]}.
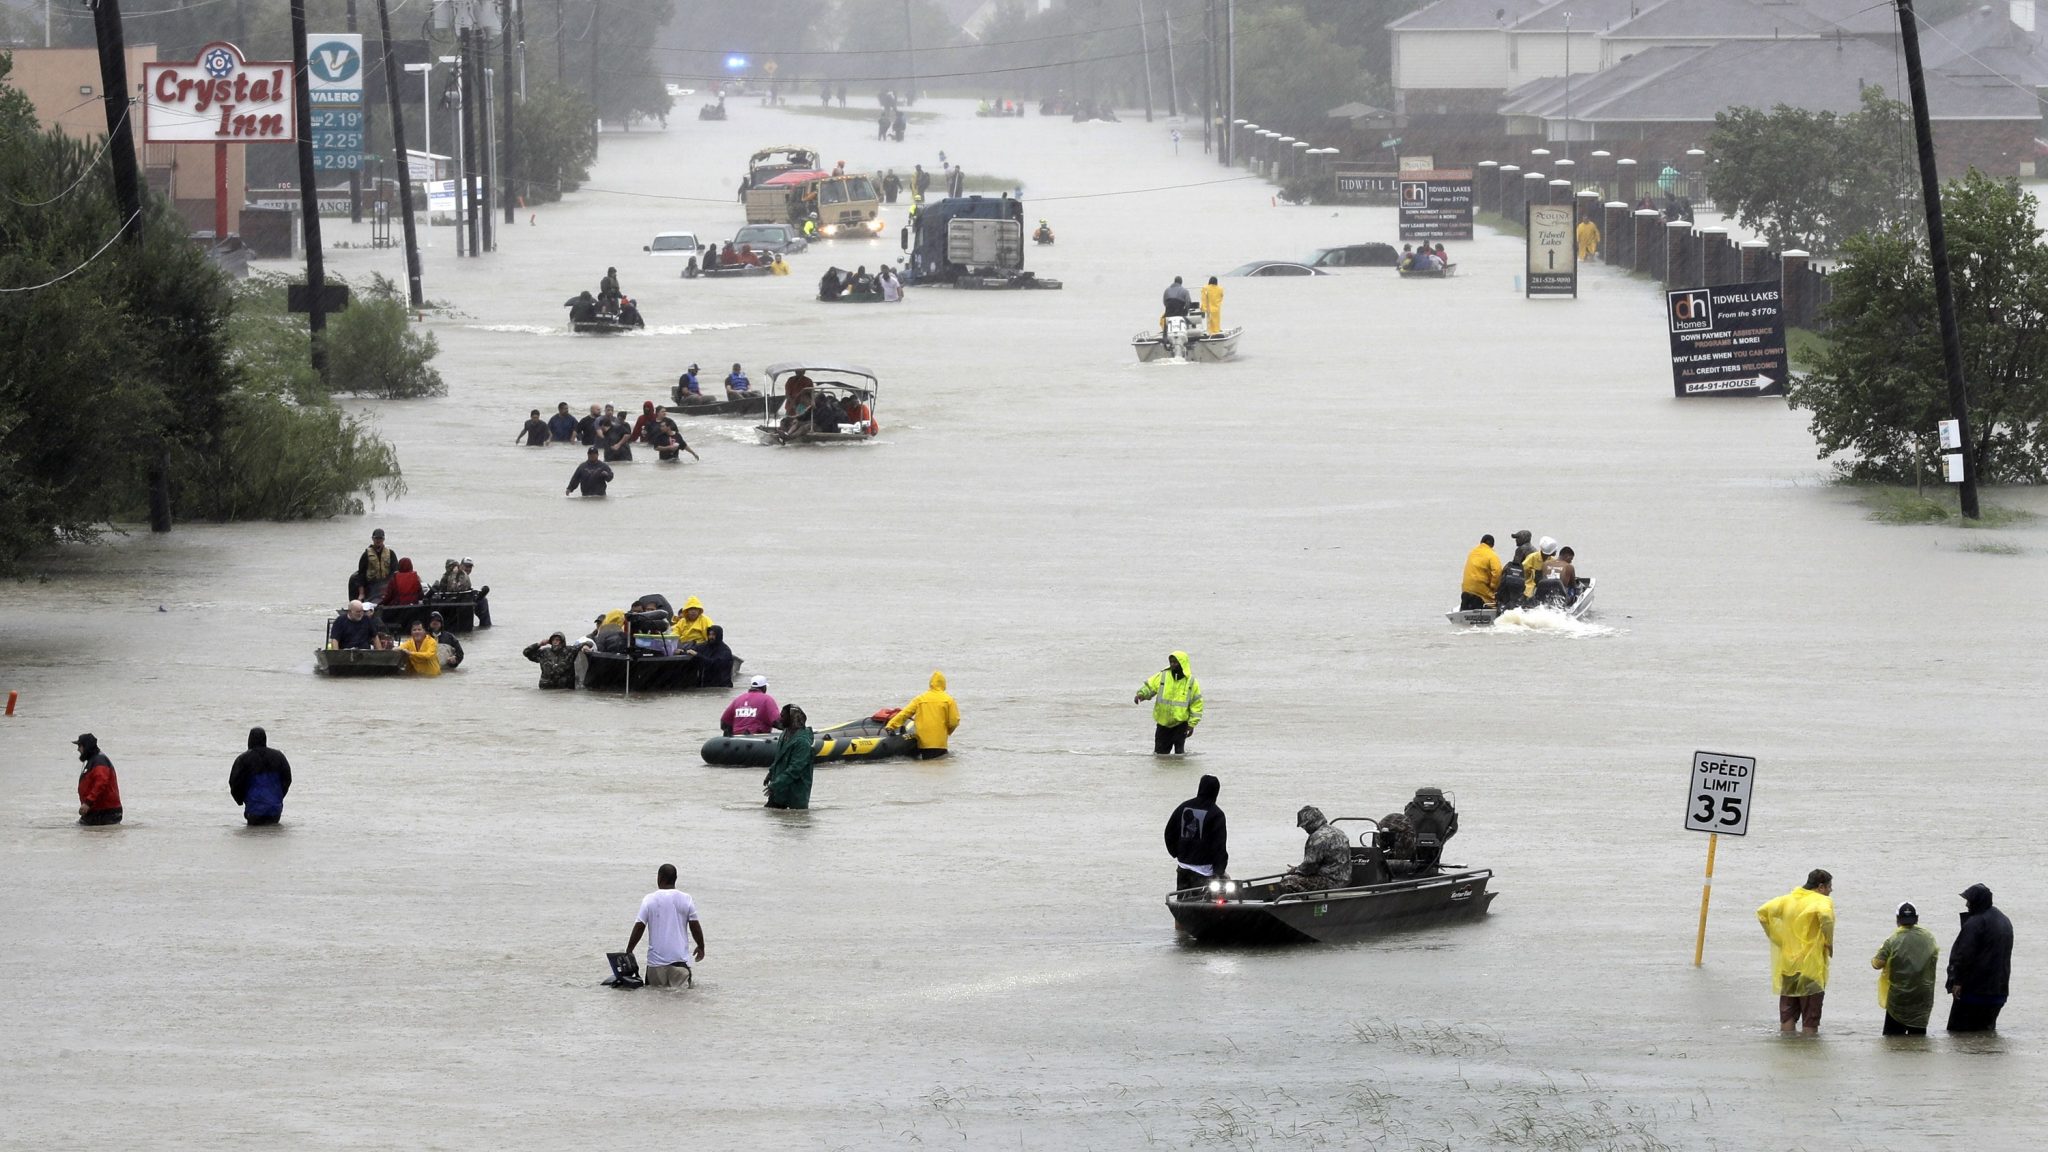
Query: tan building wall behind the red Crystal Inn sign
{"points": [[65, 85]]}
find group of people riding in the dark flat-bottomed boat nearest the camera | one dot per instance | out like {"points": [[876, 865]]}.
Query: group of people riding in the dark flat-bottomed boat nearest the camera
{"points": [[1197, 837]]}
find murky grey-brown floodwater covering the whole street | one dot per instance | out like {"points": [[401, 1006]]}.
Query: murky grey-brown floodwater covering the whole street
{"points": [[974, 952]]}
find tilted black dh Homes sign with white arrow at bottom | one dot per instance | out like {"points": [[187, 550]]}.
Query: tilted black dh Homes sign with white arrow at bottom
{"points": [[1727, 339]]}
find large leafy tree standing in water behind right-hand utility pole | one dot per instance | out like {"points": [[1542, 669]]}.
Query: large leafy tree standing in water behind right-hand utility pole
{"points": [[1881, 386]]}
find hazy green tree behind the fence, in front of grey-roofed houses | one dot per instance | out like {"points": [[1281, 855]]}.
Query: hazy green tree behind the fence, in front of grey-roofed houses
{"points": [[1816, 179]]}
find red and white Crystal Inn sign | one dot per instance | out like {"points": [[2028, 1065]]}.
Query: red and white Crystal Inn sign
{"points": [[218, 99]]}
